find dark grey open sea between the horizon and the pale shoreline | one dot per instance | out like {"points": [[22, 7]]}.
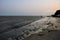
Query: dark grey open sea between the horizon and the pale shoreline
{"points": [[11, 22]]}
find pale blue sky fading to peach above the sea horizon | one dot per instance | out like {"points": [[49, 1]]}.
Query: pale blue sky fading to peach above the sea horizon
{"points": [[29, 7]]}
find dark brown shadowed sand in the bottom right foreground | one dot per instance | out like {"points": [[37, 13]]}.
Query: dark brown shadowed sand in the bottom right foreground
{"points": [[53, 35]]}
